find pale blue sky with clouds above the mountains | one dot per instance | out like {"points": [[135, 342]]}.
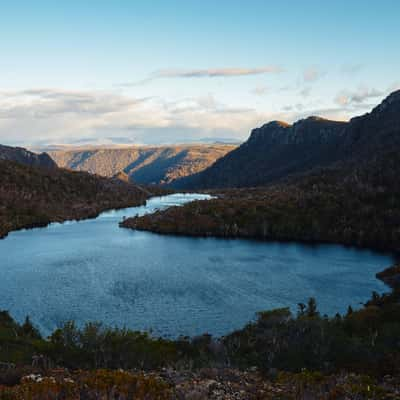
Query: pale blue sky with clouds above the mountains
{"points": [[175, 71]]}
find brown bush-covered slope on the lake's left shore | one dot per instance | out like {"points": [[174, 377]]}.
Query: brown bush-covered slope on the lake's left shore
{"points": [[32, 196]]}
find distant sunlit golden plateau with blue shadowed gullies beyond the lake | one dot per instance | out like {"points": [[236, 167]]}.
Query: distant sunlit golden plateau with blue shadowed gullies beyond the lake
{"points": [[142, 164]]}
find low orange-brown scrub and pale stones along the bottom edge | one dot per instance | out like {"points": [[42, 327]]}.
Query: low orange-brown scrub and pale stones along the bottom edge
{"points": [[208, 383]]}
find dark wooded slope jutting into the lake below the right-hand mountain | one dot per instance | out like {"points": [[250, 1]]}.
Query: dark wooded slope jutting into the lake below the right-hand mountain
{"points": [[352, 204]]}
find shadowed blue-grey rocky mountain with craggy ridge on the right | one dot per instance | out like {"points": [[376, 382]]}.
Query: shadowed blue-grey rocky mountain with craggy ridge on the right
{"points": [[277, 149]]}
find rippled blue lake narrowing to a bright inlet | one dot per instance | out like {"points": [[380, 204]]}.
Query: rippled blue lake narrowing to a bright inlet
{"points": [[95, 271]]}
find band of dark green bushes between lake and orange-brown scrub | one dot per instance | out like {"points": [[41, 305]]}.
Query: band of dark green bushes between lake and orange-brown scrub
{"points": [[363, 341]]}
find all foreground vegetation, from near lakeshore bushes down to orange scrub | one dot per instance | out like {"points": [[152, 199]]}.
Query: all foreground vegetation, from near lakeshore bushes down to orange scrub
{"points": [[355, 355]]}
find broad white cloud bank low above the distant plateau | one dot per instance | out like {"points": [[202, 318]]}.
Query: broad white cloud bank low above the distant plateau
{"points": [[38, 116]]}
